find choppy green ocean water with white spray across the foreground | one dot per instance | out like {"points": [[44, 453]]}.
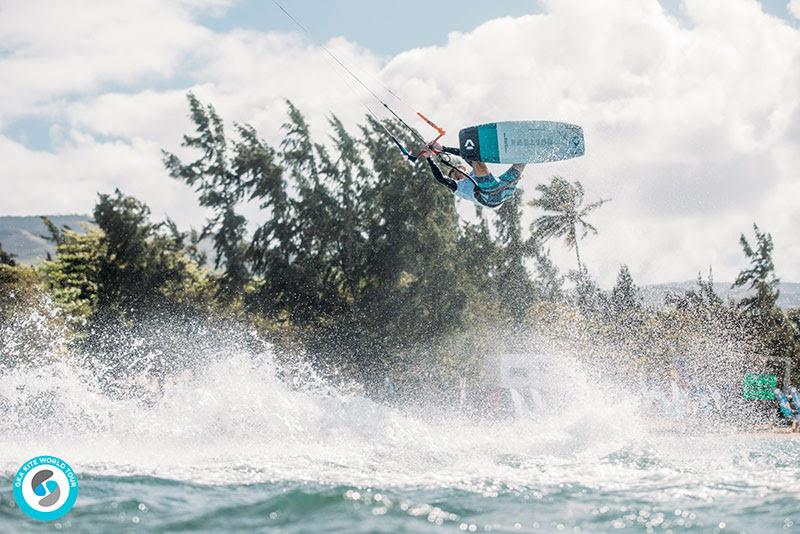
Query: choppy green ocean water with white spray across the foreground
{"points": [[230, 447]]}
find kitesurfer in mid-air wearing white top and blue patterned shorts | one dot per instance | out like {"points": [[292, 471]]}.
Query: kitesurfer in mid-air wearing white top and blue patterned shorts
{"points": [[472, 180]]}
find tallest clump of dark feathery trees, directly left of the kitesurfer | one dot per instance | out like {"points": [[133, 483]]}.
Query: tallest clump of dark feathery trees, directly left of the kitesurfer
{"points": [[357, 247]]}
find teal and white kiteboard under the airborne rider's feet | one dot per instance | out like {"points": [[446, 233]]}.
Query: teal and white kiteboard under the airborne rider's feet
{"points": [[521, 142]]}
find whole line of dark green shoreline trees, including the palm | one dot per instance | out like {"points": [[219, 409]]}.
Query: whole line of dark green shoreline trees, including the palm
{"points": [[362, 258]]}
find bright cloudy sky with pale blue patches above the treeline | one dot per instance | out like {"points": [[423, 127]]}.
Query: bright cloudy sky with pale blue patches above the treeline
{"points": [[690, 108]]}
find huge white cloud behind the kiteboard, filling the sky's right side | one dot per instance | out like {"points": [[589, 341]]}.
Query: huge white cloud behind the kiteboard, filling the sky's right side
{"points": [[689, 127]]}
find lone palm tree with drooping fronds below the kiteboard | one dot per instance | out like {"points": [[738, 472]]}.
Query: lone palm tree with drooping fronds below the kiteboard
{"points": [[567, 217]]}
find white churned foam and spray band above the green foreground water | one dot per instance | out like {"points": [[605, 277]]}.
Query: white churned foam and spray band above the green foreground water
{"points": [[233, 420]]}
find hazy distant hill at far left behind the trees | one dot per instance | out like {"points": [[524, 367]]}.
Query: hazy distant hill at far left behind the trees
{"points": [[23, 235]]}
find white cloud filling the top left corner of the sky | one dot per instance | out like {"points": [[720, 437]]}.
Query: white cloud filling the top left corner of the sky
{"points": [[58, 49]]}
